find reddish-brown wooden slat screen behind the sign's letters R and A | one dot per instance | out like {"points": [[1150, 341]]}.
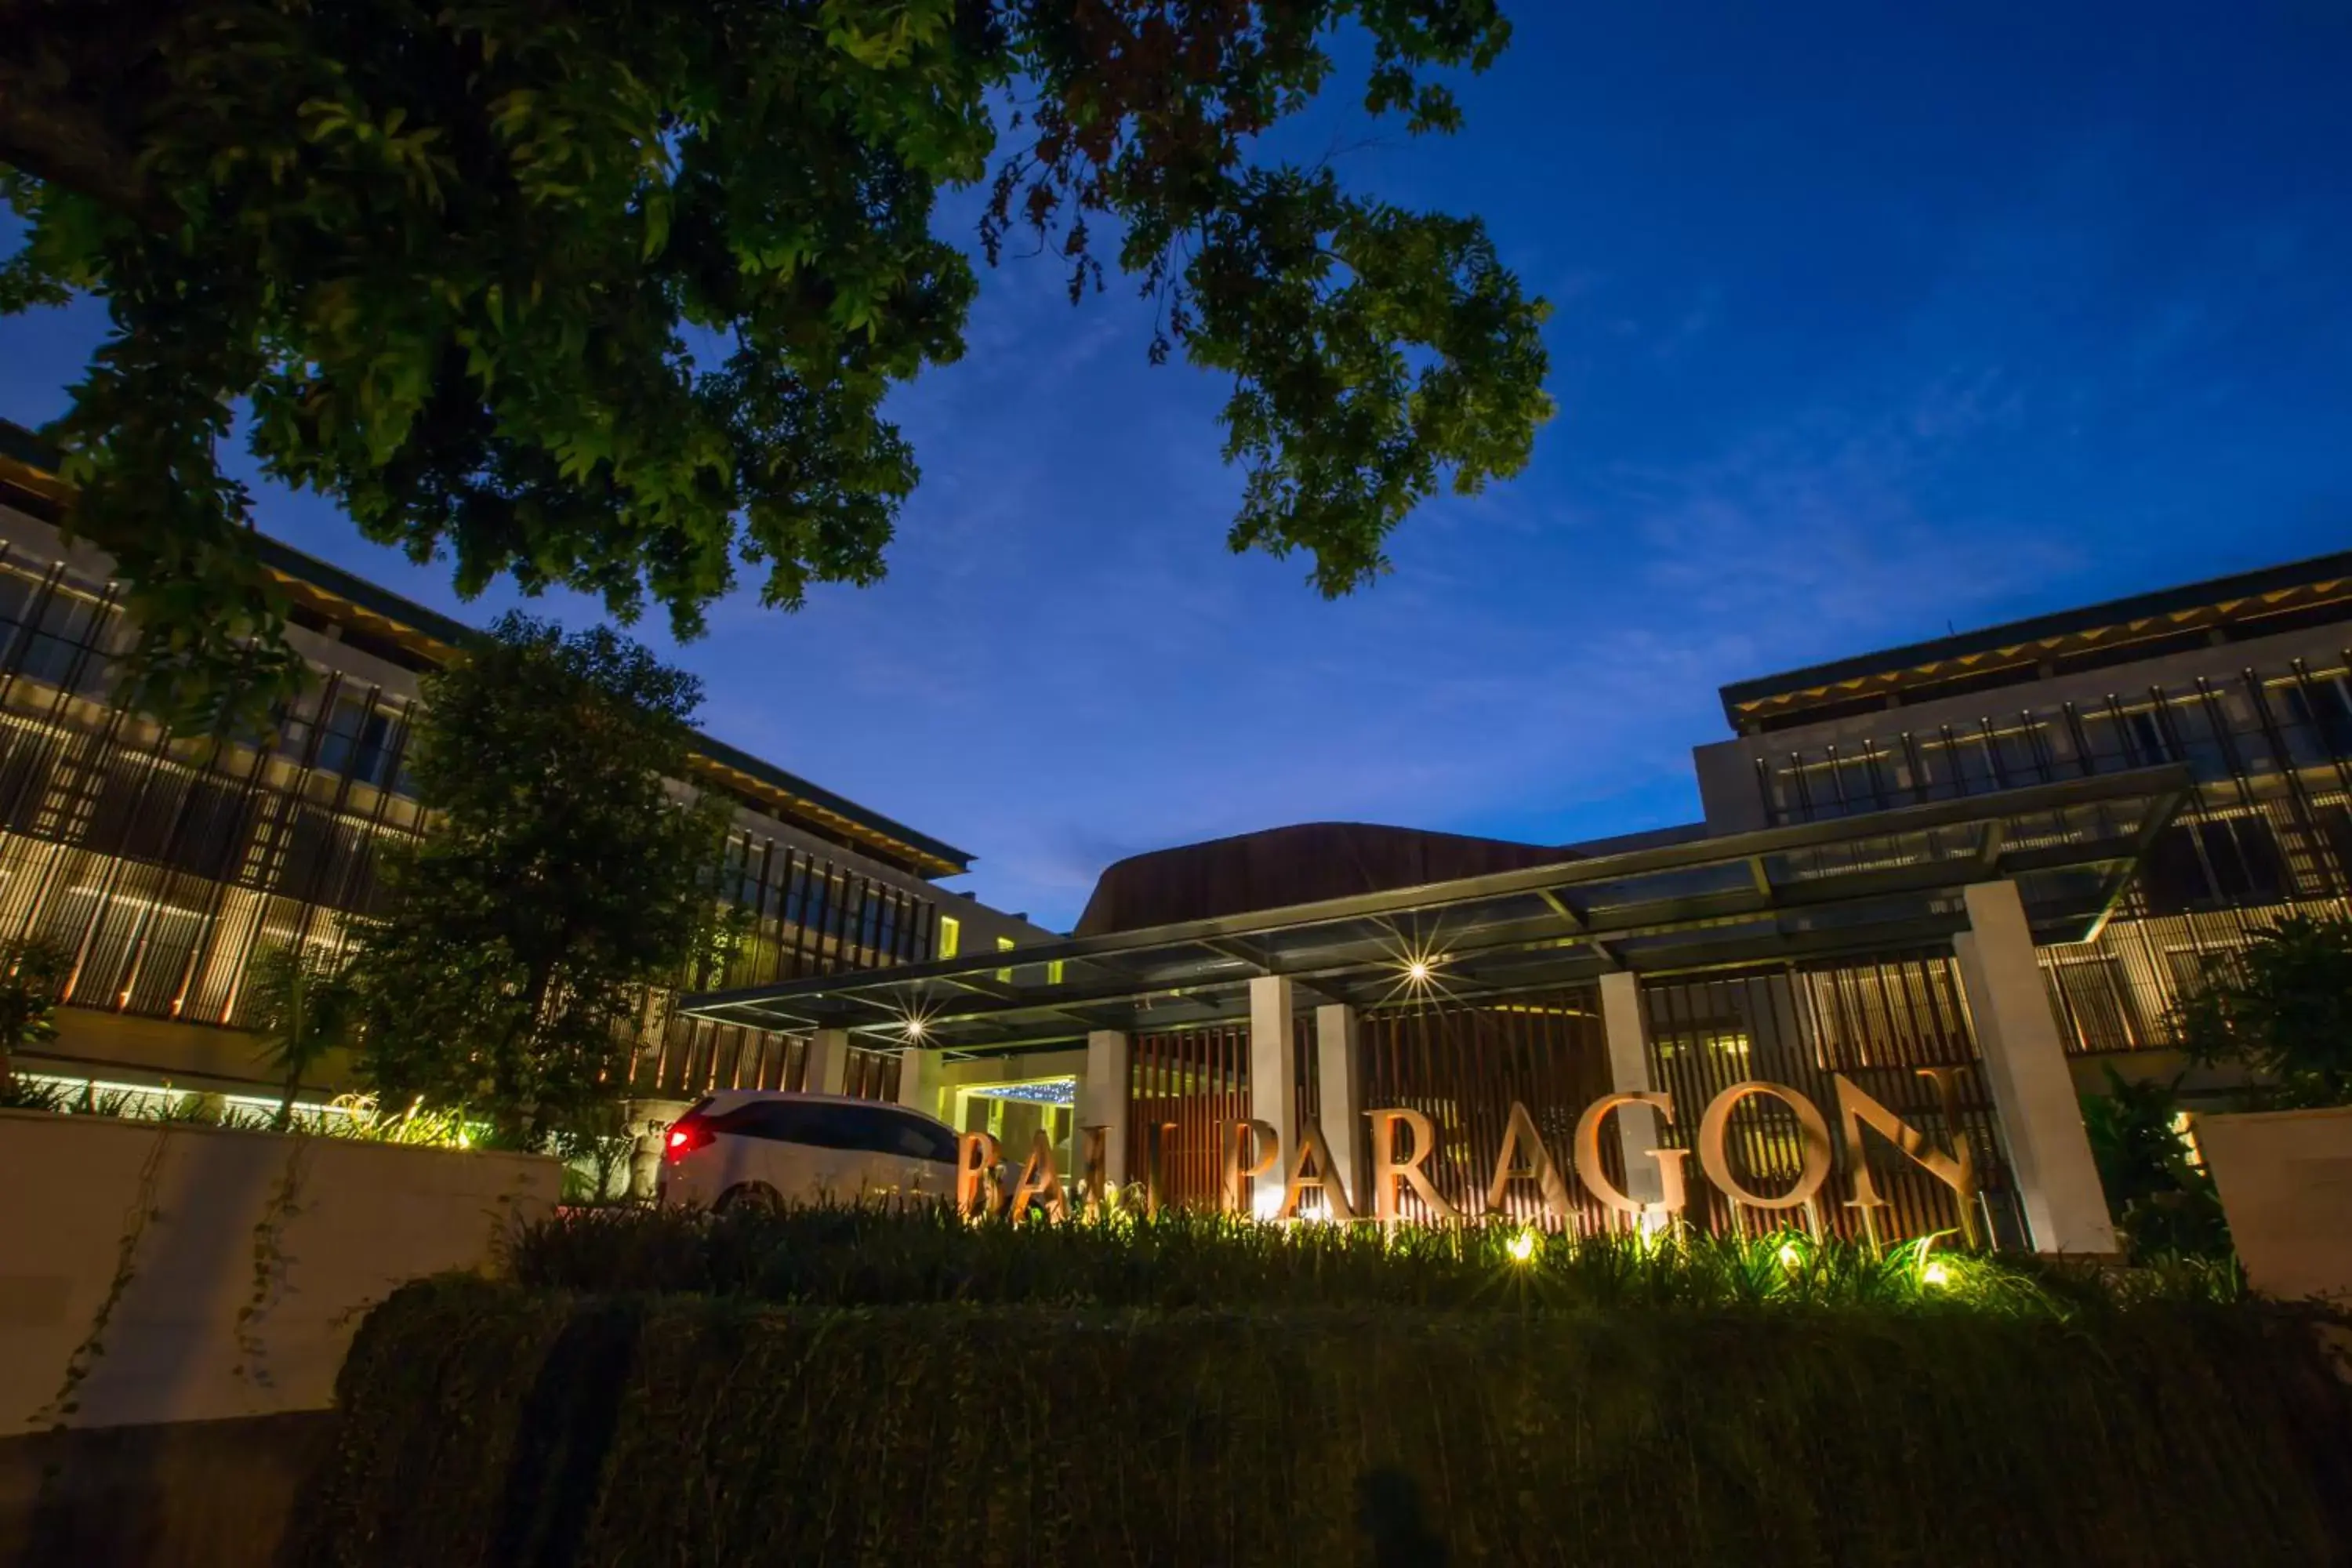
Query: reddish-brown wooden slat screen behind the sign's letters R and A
{"points": [[1462, 1066]]}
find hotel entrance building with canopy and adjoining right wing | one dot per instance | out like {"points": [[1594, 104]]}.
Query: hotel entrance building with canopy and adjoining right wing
{"points": [[1935, 894]]}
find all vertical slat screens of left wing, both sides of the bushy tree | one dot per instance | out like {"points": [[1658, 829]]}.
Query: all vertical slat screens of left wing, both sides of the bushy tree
{"points": [[163, 866]]}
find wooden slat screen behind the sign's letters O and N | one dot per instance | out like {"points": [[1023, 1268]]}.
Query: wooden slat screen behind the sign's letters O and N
{"points": [[1873, 1021]]}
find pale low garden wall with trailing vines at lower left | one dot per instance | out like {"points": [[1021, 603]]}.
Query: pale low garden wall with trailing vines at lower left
{"points": [[161, 1273]]}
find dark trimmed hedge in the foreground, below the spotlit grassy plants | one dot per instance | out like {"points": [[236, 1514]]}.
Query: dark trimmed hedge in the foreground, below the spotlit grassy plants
{"points": [[497, 1426]]}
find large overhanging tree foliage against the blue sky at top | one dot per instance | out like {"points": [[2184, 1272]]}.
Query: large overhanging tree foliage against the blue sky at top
{"points": [[610, 295]]}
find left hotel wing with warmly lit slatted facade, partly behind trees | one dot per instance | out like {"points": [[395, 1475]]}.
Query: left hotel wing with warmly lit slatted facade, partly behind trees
{"points": [[166, 866]]}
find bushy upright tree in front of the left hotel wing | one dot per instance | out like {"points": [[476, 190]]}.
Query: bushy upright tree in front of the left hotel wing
{"points": [[561, 885]]}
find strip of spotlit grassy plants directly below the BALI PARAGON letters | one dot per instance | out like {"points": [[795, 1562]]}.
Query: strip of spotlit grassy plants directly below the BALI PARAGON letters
{"points": [[878, 1257]]}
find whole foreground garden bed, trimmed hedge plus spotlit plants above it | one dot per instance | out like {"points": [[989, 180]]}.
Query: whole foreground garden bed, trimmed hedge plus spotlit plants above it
{"points": [[893, 1388]]}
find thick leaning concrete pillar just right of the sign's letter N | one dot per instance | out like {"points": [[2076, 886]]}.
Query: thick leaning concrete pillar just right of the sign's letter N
{"points": [[2029, 1076]]}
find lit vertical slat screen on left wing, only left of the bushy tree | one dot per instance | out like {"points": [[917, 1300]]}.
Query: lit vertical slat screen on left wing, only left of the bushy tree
{"points": [[161, 866]]}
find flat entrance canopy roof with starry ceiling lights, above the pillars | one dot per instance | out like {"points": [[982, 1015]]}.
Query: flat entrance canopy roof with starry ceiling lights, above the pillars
{"points": [[1880, 883]]}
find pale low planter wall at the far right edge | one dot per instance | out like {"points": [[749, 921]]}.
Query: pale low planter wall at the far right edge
{"points": [[2287, 1186]]}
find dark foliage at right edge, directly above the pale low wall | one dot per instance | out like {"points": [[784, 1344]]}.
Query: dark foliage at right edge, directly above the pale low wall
{"points": [[2283, 1007]]}
